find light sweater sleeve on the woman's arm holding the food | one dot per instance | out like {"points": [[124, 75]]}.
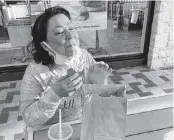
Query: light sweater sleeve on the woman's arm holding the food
{"points": [[37, 106]]}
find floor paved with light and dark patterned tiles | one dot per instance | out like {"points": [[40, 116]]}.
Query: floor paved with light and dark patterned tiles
{"points": [[140, 82]]}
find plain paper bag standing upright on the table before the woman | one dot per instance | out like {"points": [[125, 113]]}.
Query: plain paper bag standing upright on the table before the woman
{"points": [[104, 118]]}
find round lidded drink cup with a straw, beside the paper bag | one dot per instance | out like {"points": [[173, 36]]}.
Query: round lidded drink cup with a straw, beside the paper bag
{"points": [[53, 132]]}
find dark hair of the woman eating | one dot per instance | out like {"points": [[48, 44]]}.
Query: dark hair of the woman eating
{"points": [[39, 33]]}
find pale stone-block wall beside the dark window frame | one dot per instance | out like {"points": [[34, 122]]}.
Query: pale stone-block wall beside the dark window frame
{"points": [[161, 42]]}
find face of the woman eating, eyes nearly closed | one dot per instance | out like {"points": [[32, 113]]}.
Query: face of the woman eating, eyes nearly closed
{"points": [[62, 35]]}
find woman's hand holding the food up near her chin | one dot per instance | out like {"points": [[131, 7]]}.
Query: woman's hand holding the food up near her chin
{"points": [[67, 84]]}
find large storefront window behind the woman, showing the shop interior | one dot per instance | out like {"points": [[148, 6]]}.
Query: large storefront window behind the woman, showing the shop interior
{"points": [[126, 22]]}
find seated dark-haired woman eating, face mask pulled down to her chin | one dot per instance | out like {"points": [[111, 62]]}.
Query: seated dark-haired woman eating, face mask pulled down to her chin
{"points": [[46, 83]]}
